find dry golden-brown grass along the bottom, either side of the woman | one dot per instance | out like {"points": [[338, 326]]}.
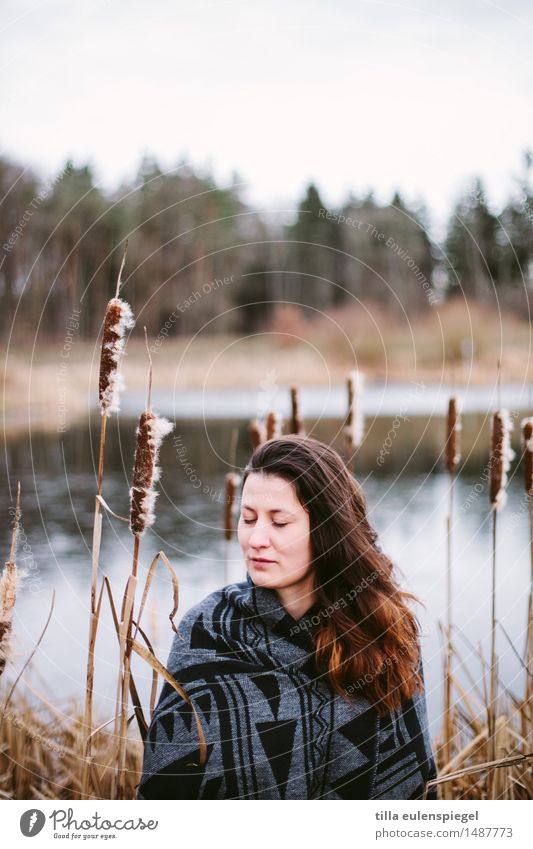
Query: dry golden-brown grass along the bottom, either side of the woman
{"points": [[40, 746]]}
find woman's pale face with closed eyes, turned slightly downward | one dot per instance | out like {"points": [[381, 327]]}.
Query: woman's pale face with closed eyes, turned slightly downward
{"points": [[274, 533]]}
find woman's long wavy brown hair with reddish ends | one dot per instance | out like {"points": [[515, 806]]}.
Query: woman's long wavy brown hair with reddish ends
{"points": [[367, 637]]}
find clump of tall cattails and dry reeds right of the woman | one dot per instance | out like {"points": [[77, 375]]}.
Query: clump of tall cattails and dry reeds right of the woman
{"points": [[484, 750]]}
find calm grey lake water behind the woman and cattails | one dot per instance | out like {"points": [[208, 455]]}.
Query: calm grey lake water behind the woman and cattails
{"points": [[407, 499]]}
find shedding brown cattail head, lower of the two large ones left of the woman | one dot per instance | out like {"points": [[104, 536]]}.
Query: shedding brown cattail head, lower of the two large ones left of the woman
{"points": [[151, 431]]}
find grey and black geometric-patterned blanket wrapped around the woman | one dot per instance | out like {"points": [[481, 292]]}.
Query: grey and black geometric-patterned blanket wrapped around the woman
{"points": [[274, 728]]}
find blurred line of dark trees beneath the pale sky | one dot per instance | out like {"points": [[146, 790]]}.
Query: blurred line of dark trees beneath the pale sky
{"points": [[61, 245]]}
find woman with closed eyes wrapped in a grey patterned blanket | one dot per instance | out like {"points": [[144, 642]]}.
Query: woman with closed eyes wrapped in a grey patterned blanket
{"points": [[306, 677]]}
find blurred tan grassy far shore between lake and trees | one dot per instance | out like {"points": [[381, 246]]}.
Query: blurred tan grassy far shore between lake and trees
{"points": [[43, 390]]}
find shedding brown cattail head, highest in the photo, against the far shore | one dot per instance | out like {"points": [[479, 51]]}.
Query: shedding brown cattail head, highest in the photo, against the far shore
{"points": [[118, 319]]}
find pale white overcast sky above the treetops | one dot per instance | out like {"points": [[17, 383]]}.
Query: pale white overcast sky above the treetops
{"points": [[355, 94]]}
